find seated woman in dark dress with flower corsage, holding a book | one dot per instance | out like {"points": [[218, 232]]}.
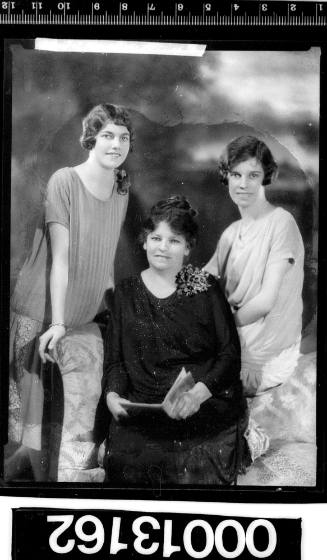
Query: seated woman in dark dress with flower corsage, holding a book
{"points": [[169, 317]]}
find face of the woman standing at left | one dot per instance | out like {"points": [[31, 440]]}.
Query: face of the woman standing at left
{"points": [[112, 145]]}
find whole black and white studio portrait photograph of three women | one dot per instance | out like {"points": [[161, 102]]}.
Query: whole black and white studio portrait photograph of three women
{"points": [[163, 266]]}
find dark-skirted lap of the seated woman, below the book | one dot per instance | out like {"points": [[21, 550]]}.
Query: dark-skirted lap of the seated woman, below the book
{"points": [[136, 457]]}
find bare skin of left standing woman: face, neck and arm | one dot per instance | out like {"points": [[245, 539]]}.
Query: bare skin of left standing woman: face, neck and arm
{"points": [[111, 147]]}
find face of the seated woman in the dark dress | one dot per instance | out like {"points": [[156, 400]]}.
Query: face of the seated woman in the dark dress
{"points": [[165, 249]]}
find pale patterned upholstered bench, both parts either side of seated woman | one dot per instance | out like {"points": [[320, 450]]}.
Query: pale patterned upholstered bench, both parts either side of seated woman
{"points": [[287, 413]]}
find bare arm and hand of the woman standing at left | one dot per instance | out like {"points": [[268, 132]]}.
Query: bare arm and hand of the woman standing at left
{"points": [[59, 238]]}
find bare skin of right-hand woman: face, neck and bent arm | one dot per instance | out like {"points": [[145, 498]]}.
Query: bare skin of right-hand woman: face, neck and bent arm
{"points": [[246, 190]]}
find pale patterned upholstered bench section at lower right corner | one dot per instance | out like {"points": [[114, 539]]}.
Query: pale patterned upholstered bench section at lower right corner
{"points": [[288, 414]]}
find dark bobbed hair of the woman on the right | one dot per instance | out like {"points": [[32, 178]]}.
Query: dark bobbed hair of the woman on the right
{"points": [[242, 149]]}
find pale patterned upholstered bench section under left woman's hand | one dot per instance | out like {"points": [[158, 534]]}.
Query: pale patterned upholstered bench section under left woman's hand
{"points": [[80, 360]]}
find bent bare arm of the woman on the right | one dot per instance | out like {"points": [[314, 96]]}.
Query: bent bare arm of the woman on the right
{"points": [[259, 306]]}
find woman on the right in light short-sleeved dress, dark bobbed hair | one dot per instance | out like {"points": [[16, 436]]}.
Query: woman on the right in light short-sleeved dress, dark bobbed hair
{"points": [[259, 259]]}
